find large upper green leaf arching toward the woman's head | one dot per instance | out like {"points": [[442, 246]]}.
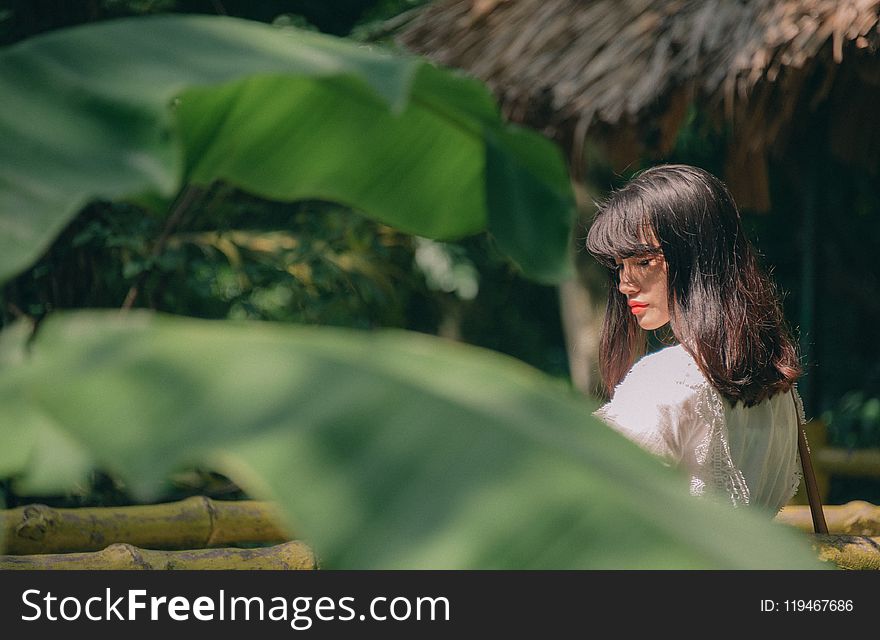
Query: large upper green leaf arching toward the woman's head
{"points": [[133, 109]]}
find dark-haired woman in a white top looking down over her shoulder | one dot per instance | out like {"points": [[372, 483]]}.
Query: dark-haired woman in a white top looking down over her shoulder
{"points": [[721, 403]]}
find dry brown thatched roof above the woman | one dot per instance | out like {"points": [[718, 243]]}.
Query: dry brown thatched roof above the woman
{"points": [[625, 71]]}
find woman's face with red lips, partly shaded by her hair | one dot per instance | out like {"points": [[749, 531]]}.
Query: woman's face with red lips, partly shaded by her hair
{"points": [[643, 281]]}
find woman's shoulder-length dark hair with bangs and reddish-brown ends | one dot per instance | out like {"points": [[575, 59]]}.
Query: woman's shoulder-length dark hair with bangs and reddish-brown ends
{"points": [[723, 308]]}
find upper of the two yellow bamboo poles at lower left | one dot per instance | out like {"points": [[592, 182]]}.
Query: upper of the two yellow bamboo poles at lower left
{"points": [[194, 523]]}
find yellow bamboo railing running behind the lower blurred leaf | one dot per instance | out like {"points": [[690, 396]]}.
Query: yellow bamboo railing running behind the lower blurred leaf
{"points": [[186, 534]]}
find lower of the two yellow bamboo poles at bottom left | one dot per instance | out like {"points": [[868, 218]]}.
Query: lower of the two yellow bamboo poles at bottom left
{"points": [[290, 555]]}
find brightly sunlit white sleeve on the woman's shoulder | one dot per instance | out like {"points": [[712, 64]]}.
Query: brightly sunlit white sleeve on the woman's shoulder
{"points": [[653, 410]]}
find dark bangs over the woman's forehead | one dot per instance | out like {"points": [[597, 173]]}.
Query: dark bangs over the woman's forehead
{"points": [[622, 229]]}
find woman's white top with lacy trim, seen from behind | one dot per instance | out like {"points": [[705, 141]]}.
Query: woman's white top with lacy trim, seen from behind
{"points": [[744, 455]]}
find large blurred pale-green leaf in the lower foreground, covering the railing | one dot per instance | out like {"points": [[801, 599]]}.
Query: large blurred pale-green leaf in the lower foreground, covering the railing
{"points": [[385, 449]]}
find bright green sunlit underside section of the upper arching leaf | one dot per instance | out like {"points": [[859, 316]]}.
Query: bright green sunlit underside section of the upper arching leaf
{"points": [[294, 138]]}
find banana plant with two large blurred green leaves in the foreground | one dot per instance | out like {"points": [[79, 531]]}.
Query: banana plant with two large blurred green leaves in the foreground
{"points": [[383, 449]]}
